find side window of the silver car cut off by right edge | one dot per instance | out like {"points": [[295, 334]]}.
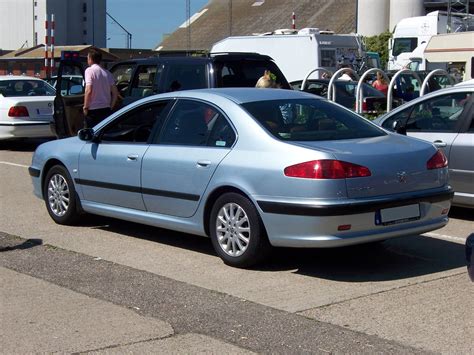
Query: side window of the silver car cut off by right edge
{"points": [[439, 114]]}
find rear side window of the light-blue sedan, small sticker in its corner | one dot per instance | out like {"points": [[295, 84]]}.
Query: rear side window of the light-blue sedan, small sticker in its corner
{"points": [[197, 124]]}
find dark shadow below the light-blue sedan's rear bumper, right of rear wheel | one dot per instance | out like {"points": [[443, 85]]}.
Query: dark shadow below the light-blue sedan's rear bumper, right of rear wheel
{"points": [[395, 259]]}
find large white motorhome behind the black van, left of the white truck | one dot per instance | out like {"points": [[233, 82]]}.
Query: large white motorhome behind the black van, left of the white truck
{"points": [[298, 52]]}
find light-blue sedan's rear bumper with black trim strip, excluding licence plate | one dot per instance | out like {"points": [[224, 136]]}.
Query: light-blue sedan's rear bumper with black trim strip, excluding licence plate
{"points": [[319, 225]]}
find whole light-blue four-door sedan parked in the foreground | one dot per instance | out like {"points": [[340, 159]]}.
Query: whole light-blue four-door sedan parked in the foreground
{"points": [[251, 168]]}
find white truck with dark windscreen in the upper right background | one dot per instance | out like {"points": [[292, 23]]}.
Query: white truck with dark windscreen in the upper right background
{"points": [[411, 36]]}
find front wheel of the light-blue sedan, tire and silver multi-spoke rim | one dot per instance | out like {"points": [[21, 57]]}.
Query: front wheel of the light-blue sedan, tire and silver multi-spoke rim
{"points": [[60, 196]]}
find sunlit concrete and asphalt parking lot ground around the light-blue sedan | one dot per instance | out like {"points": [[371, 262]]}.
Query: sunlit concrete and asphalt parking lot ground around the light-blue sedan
{"points": [[404, 295]]}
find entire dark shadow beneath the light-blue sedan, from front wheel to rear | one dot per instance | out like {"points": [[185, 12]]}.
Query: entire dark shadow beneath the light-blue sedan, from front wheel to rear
{"points": [[394, 259]]}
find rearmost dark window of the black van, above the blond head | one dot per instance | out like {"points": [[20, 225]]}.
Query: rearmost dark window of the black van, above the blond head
{"points": [[246, 72]]}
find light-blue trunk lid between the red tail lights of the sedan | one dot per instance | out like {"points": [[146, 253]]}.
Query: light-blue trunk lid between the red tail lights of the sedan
{"points": [[397, 164]]}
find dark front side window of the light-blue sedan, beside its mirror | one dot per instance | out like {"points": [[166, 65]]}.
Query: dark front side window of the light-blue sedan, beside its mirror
{"points": [[136, 126]]}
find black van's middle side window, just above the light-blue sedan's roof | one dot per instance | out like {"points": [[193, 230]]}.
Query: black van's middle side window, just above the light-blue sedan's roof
{"points": [[186, 76]]}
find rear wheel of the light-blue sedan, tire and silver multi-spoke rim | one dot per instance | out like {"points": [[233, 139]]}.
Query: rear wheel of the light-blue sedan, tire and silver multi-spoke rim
{"points": [[237, 231]]}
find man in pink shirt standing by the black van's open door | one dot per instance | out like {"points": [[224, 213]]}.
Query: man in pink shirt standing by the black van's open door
{"points": [[101, 93]]}
